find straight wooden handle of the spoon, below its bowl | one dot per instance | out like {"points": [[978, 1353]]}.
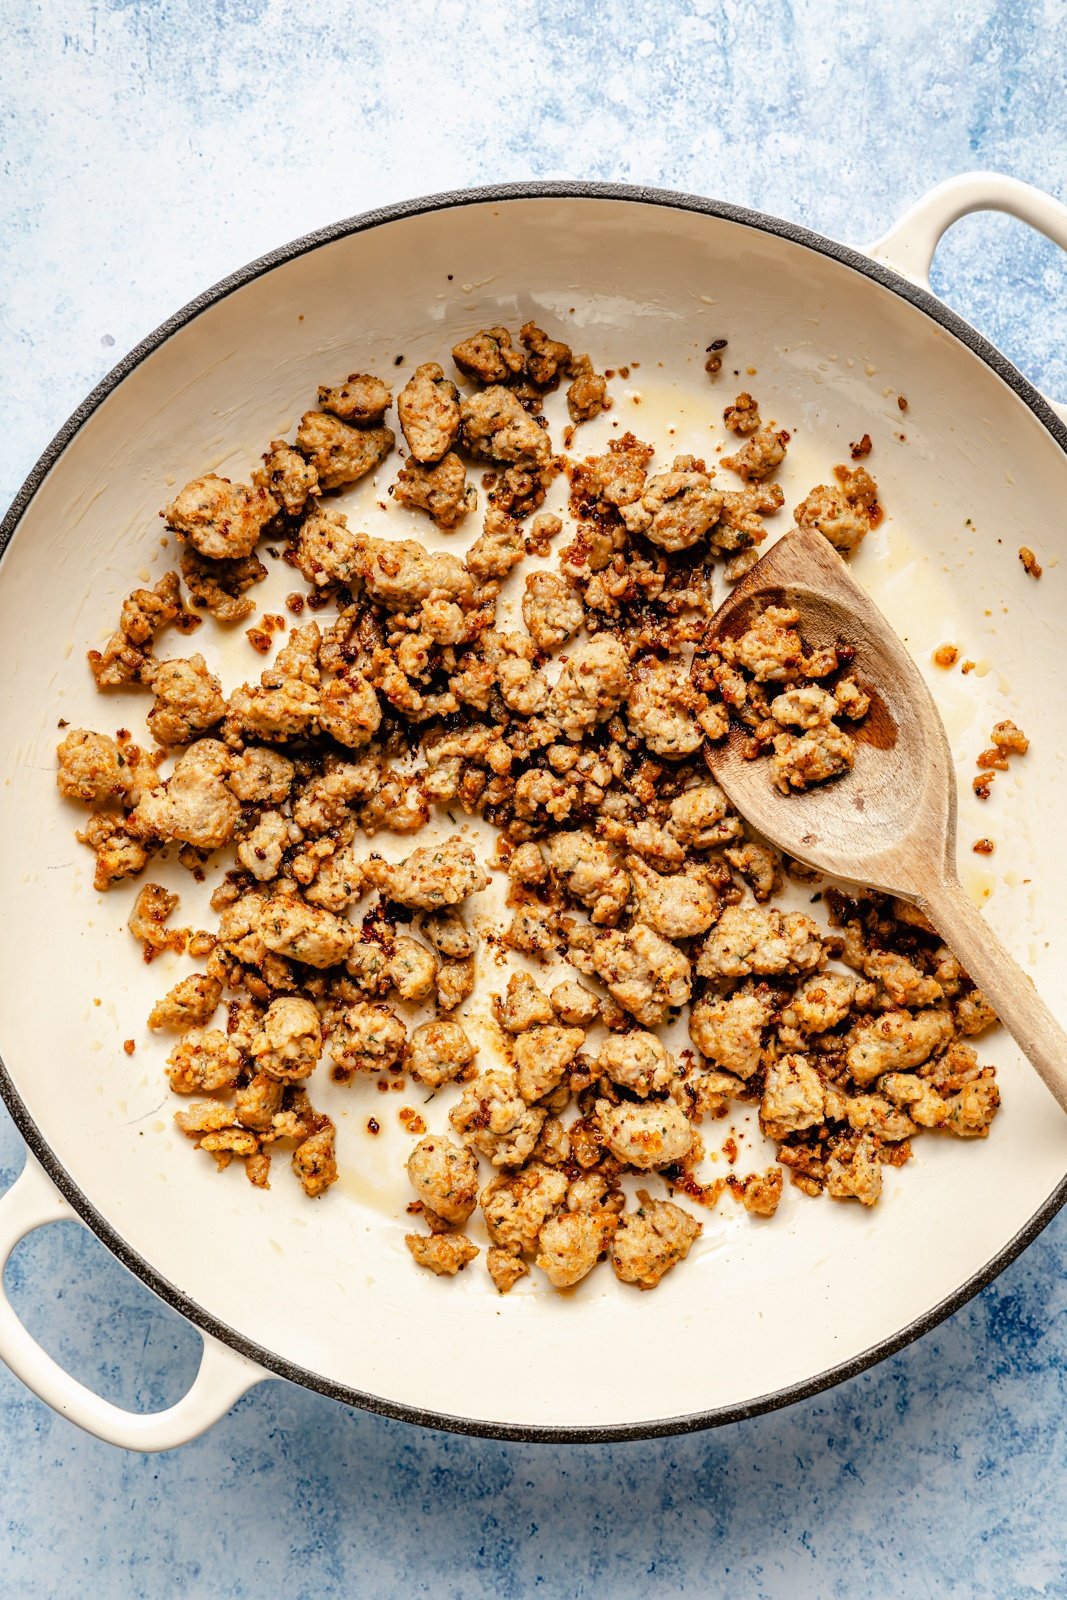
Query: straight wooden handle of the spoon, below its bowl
{"points": [[1004, 983]]}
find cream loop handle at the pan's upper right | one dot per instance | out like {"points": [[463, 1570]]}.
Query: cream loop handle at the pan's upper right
{"points": [[909, 247]]}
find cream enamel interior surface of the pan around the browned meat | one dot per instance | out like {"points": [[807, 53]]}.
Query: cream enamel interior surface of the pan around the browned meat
{"points": [[967, 476]]}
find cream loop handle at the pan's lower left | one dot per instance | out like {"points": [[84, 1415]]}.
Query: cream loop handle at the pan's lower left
{"points": [[223, 1378]]}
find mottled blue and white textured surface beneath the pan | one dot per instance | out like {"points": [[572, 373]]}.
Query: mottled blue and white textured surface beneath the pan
{"points": [[148, 150]]}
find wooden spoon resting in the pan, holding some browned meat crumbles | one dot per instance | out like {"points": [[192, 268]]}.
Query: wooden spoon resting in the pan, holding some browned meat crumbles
{"points": [[892, 823]]}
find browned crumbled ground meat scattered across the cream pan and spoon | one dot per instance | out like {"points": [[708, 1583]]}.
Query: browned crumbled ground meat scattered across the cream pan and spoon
{"points": [[621, 852]]}
